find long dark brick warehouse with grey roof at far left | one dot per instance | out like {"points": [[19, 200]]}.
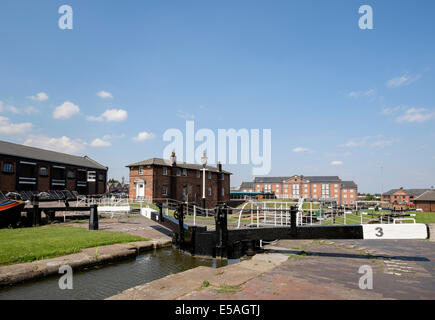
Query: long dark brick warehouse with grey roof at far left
{"points": [[26, 168]]}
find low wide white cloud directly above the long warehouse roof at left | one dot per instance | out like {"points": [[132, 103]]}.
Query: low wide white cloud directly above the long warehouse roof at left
{"points": [[63, 144]]}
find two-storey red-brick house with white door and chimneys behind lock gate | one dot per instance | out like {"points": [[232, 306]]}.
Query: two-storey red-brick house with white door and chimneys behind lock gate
{"points": [[158, 179]]}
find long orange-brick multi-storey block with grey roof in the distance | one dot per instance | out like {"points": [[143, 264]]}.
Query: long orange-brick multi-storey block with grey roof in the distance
{"points": [[312, 187]]}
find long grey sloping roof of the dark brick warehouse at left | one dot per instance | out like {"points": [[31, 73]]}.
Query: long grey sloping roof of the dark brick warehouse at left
{"points": [[22, 151]]}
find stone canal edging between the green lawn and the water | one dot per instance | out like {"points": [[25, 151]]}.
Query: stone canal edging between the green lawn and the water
{"points": [[86, 258]]}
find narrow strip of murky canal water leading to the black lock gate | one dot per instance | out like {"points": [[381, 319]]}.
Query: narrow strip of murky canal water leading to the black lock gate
{"points": [[103, 282]]}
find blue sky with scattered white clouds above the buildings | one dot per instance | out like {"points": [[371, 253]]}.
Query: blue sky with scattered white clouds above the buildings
{"points": [[339, 100]]}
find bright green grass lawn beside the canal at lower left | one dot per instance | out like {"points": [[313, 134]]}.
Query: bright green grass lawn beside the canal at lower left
{"points": [[30, 244]]}
